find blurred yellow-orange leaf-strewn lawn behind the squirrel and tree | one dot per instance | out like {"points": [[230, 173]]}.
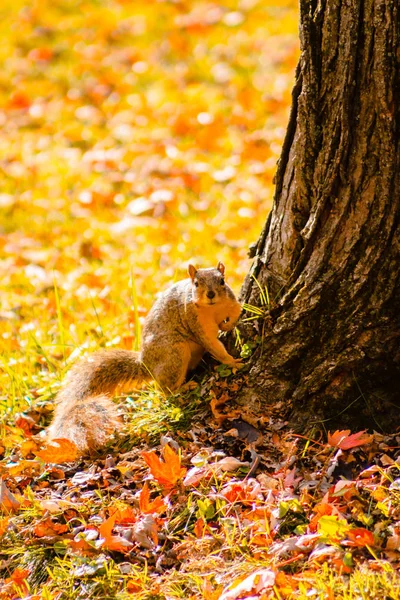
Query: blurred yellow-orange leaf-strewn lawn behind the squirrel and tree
{"points": [[135, 136]]}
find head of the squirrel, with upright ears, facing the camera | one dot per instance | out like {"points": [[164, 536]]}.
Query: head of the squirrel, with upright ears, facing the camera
{"points": [[208, 285]]}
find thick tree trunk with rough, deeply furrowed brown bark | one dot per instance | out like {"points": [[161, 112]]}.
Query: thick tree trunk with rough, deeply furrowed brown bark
{"points": [[330, 250]]}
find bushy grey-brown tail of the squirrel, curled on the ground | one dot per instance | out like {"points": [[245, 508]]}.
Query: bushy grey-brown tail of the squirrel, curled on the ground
{"points": [[85, 414]]}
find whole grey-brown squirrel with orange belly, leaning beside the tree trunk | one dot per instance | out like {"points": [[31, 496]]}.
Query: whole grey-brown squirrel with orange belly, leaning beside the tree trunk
{"points": [[183, 323]]}
